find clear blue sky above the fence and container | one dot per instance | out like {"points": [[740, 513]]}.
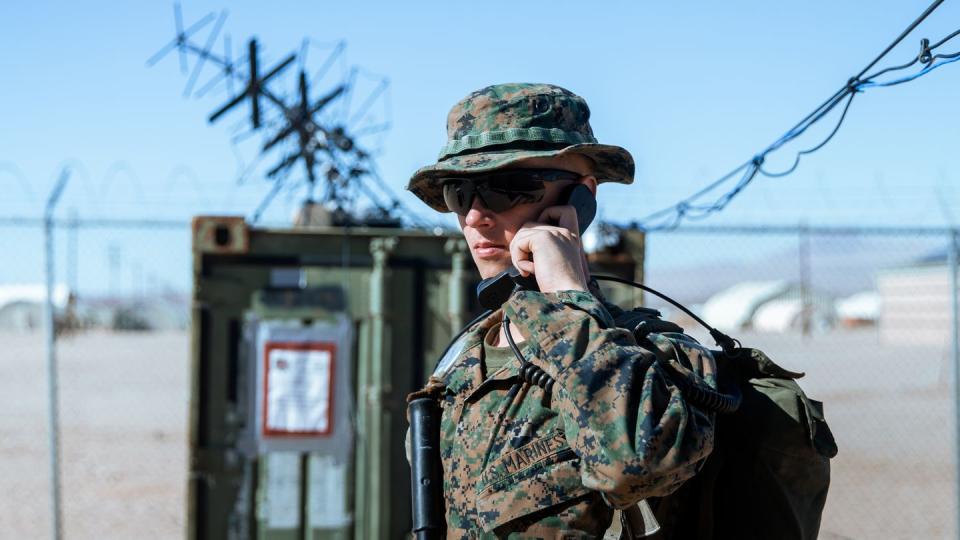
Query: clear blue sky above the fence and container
{"points": [[691, 89]]}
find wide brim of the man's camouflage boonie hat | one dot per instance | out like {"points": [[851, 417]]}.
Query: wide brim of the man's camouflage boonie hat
{"points": [[611, 164]]}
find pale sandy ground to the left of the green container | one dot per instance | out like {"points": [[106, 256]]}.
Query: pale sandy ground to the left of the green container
{"points": [[124, 400]]}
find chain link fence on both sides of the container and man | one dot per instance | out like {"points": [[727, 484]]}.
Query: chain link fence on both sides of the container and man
{"points": [[866, 314]]}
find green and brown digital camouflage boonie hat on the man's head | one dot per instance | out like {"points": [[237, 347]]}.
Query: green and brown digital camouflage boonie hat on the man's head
{"points": [[501, 125]]}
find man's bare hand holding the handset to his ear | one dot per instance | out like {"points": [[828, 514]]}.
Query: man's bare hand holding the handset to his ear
{"points": [[551, 252]]}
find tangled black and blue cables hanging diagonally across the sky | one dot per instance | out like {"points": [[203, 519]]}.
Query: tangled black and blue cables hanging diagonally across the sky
{"points": [[691, 207]]}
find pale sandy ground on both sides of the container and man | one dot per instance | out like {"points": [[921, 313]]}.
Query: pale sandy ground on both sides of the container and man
{"points": [[124, 408]]}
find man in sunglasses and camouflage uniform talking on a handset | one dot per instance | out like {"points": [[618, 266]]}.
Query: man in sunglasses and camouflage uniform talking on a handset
{"points": [[552, 416]]}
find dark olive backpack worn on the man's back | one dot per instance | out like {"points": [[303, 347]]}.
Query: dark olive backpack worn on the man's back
{"points": [[768, 475]]}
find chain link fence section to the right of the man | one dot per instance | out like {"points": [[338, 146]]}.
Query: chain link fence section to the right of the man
{"points": [[866, 314]]}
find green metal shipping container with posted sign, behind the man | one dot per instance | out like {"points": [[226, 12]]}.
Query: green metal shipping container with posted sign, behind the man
{"points": [[406, 293]]}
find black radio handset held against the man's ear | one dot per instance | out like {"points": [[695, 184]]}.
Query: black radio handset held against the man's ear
{"points": [[493, 292]]}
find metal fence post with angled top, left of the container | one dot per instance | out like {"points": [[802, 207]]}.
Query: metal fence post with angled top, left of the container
{"points": [[53, 402]]}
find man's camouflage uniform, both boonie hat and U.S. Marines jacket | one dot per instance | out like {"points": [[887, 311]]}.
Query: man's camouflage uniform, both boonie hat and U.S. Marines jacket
{"points": [[519, 463]]}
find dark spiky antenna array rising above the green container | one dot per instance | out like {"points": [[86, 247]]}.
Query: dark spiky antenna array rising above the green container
{"points": [[323, 131]]}
